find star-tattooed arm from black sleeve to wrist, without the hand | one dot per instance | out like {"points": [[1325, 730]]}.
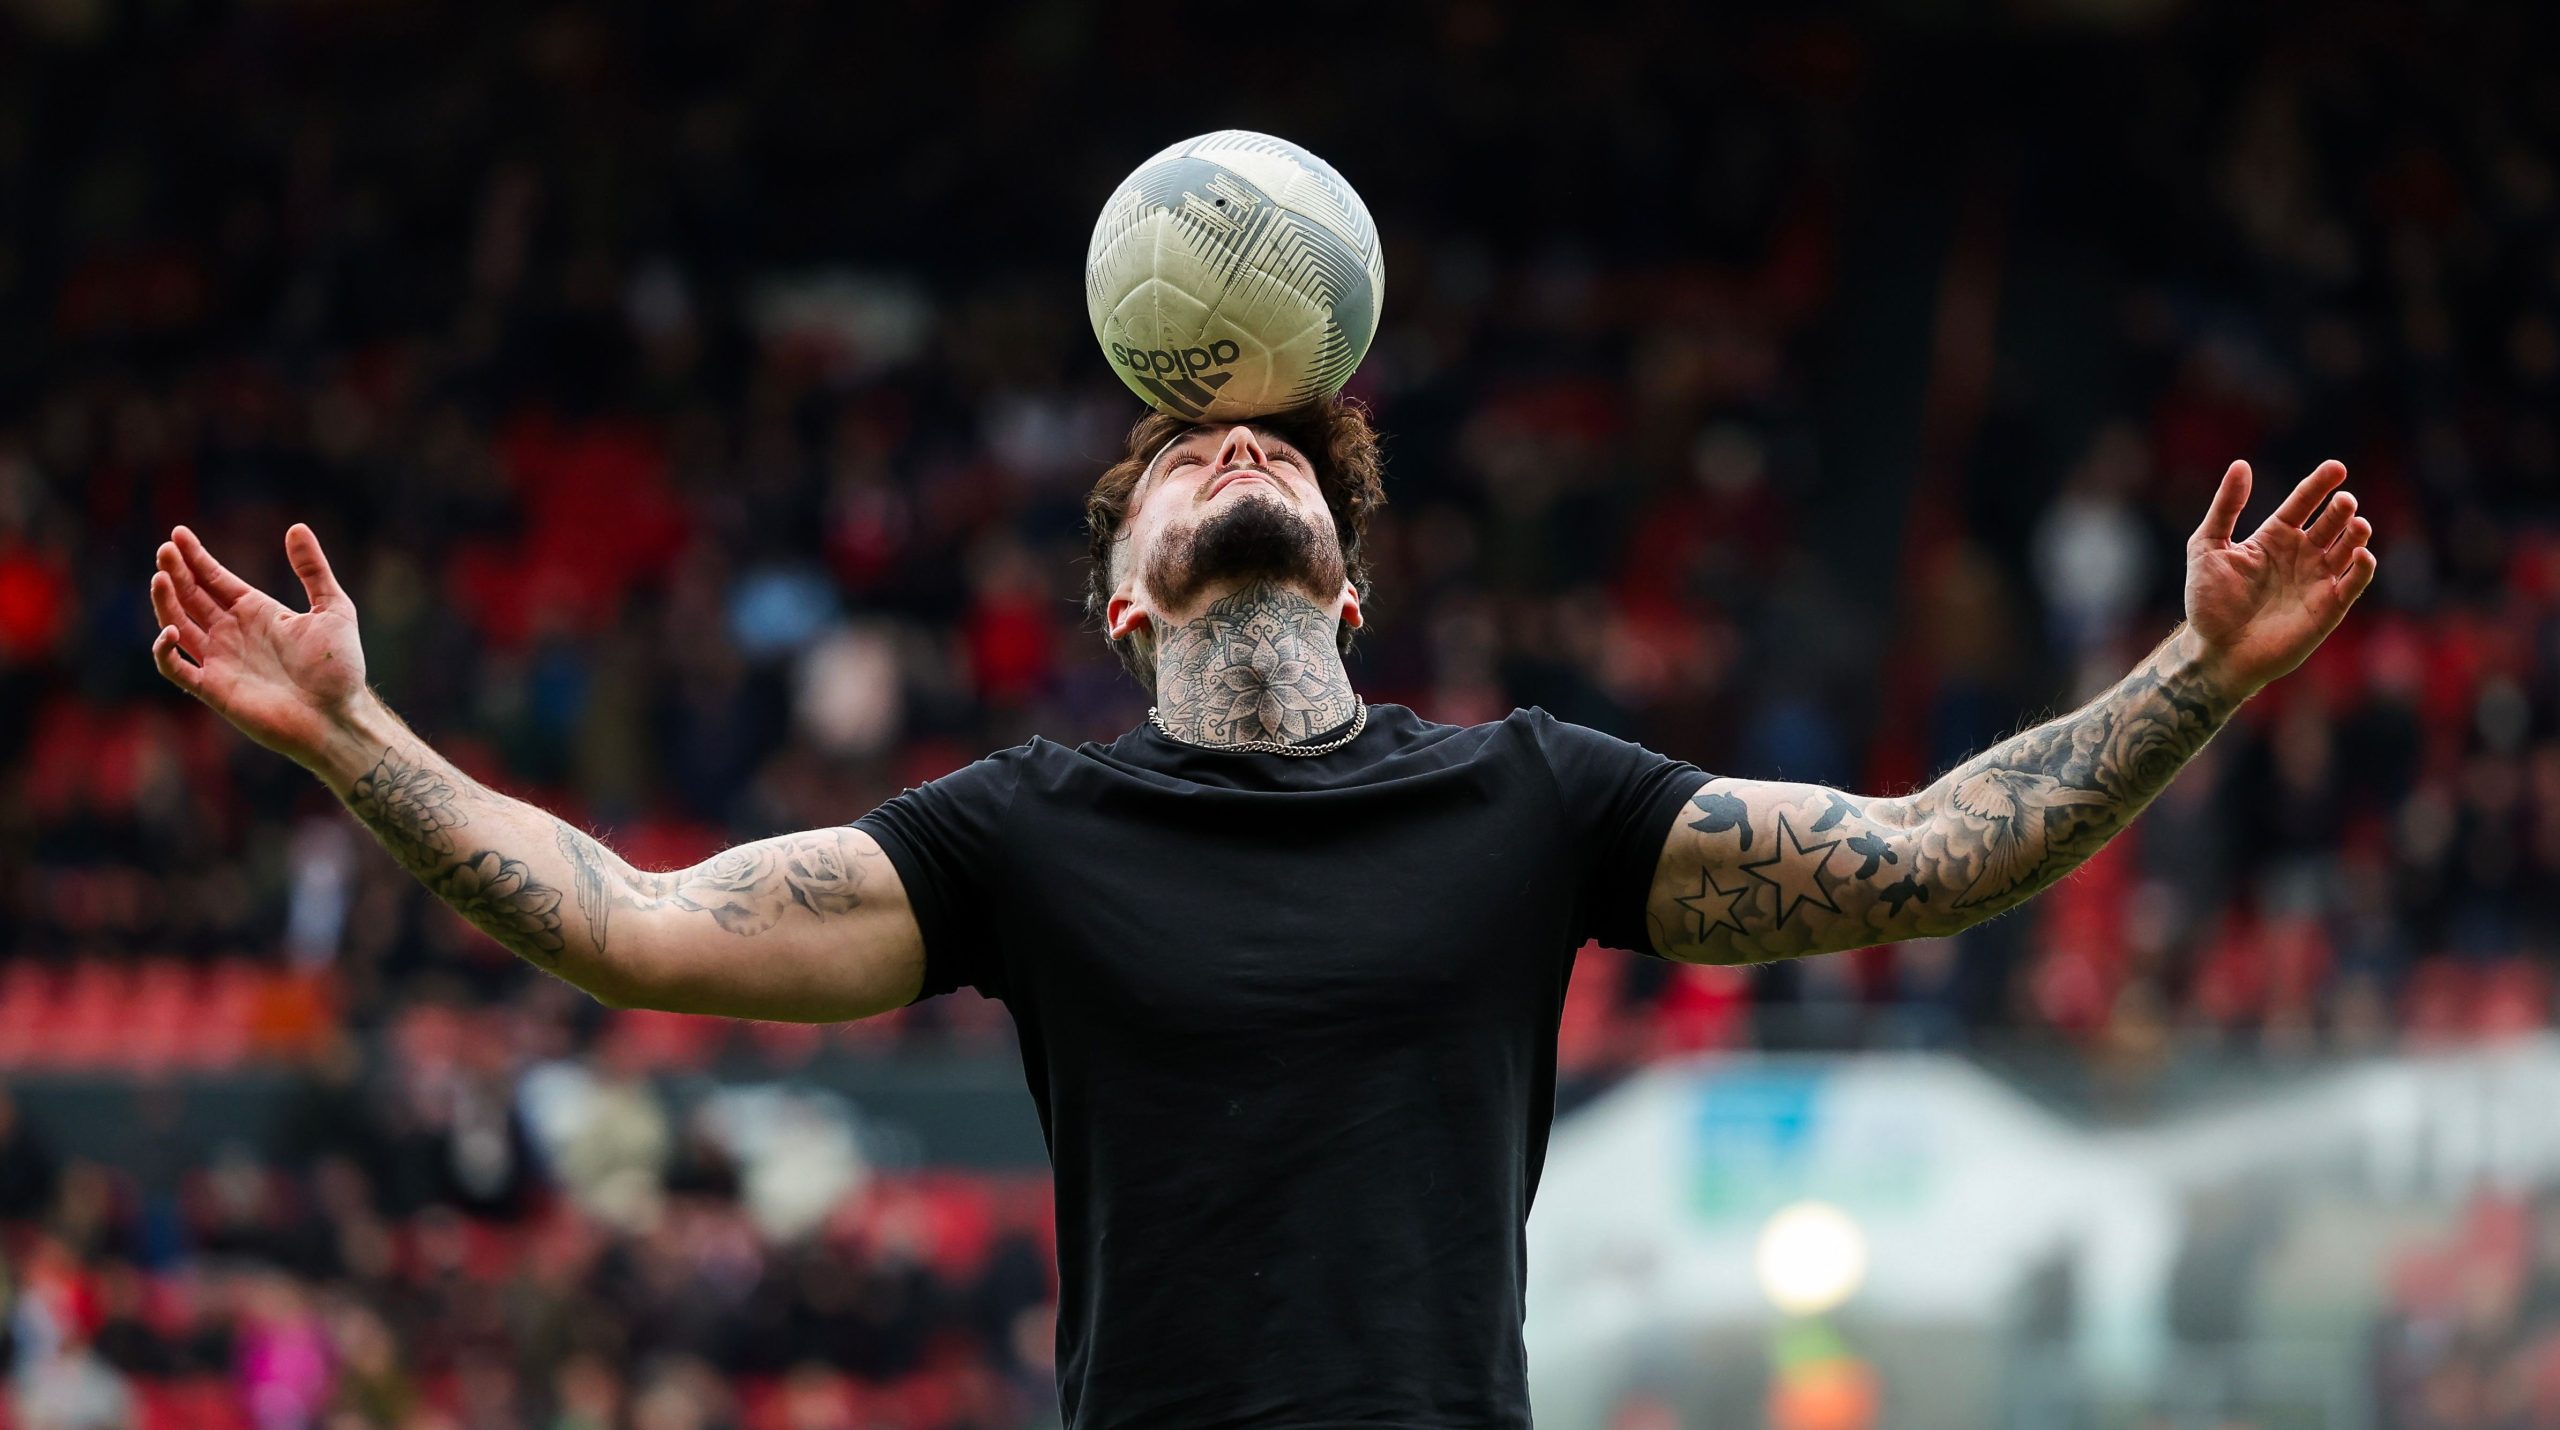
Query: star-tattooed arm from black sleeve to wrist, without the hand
{"points": [[1768, 871]]}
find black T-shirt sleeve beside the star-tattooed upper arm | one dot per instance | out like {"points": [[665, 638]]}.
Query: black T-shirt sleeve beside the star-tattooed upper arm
{"points": [[1619, 807]]}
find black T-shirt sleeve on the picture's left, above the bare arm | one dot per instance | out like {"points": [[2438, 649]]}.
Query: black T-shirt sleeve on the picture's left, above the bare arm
{"points": [[946, 843]]}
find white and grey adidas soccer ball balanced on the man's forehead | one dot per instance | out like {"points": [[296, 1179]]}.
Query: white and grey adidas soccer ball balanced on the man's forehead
{"points": [[1235, 275]]}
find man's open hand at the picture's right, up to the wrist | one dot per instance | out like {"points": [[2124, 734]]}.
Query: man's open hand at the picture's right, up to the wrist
{"points": [[2262, 605]]}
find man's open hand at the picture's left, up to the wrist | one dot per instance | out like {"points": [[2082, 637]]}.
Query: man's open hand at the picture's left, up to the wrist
{"points": [[288, 679]]}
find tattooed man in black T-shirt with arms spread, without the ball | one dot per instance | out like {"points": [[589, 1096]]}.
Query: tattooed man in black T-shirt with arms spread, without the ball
{"points": [[1286, 966]]}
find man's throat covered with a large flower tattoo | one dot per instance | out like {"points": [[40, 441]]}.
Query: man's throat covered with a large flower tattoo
{"points": [[1258, 664]]}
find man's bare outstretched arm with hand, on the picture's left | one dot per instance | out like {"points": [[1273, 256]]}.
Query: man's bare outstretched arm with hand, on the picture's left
{"points": [[803, 927]]}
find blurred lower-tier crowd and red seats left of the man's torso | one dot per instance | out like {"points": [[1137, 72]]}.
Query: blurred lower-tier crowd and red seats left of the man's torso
{"points": [[488, 1234]]}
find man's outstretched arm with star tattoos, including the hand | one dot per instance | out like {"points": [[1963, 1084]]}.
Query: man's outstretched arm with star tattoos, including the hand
{"points": [[1765, 871]]}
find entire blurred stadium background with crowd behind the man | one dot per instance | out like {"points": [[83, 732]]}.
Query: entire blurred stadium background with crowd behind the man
{"points": [[698, 403]]}
